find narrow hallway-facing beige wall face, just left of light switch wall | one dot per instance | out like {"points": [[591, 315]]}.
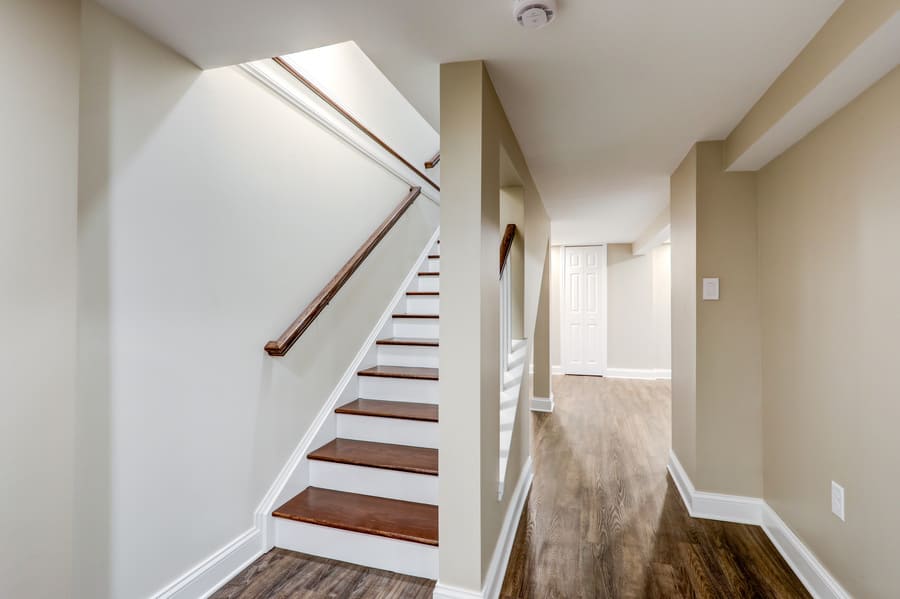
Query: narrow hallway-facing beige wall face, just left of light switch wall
{"points": [[683, 207]]}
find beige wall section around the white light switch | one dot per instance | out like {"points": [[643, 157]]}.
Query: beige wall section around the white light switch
{"points": [[729, 409]]}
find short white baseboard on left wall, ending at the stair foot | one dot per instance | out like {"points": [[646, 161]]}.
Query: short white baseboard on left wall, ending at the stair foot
{"points": [[208, 576]]}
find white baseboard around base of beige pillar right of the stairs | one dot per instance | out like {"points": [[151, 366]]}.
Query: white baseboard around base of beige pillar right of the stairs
{"points": [[493, 580]]}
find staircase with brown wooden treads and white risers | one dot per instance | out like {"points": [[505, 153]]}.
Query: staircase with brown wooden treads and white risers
{"points": [[373, 491]]}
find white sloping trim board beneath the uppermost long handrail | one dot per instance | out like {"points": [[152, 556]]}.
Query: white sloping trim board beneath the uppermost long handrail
{"points": [[280, 81]]}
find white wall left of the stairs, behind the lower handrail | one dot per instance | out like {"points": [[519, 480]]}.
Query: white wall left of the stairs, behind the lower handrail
{"points": [[210, 213]]}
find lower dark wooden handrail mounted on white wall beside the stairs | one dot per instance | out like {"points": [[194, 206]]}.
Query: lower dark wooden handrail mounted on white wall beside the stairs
{"points": [[280, 346]]}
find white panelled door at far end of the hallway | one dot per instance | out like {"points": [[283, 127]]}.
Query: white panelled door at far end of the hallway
{"points": [[584, 310]]}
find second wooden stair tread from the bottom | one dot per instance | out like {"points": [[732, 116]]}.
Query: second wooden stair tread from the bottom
{"points": [[405, 458]]}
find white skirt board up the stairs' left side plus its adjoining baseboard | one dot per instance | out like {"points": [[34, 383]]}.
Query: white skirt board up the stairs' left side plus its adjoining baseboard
{"points": [[208, 576]]}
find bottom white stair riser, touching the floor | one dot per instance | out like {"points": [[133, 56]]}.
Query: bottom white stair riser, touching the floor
{"points": [[414, 559]]}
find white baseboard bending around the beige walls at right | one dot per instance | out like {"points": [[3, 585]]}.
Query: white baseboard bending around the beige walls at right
{"points": [[752, 510]]}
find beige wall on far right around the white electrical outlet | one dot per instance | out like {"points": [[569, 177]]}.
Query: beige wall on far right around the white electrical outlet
{"points": [[829, 215]]}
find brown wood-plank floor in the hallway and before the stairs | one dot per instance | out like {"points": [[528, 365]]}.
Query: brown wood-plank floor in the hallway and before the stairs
{"points": [[603, 520]]}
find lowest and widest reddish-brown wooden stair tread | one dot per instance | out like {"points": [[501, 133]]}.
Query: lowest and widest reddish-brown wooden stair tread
{"points": [[403, 520]]}
